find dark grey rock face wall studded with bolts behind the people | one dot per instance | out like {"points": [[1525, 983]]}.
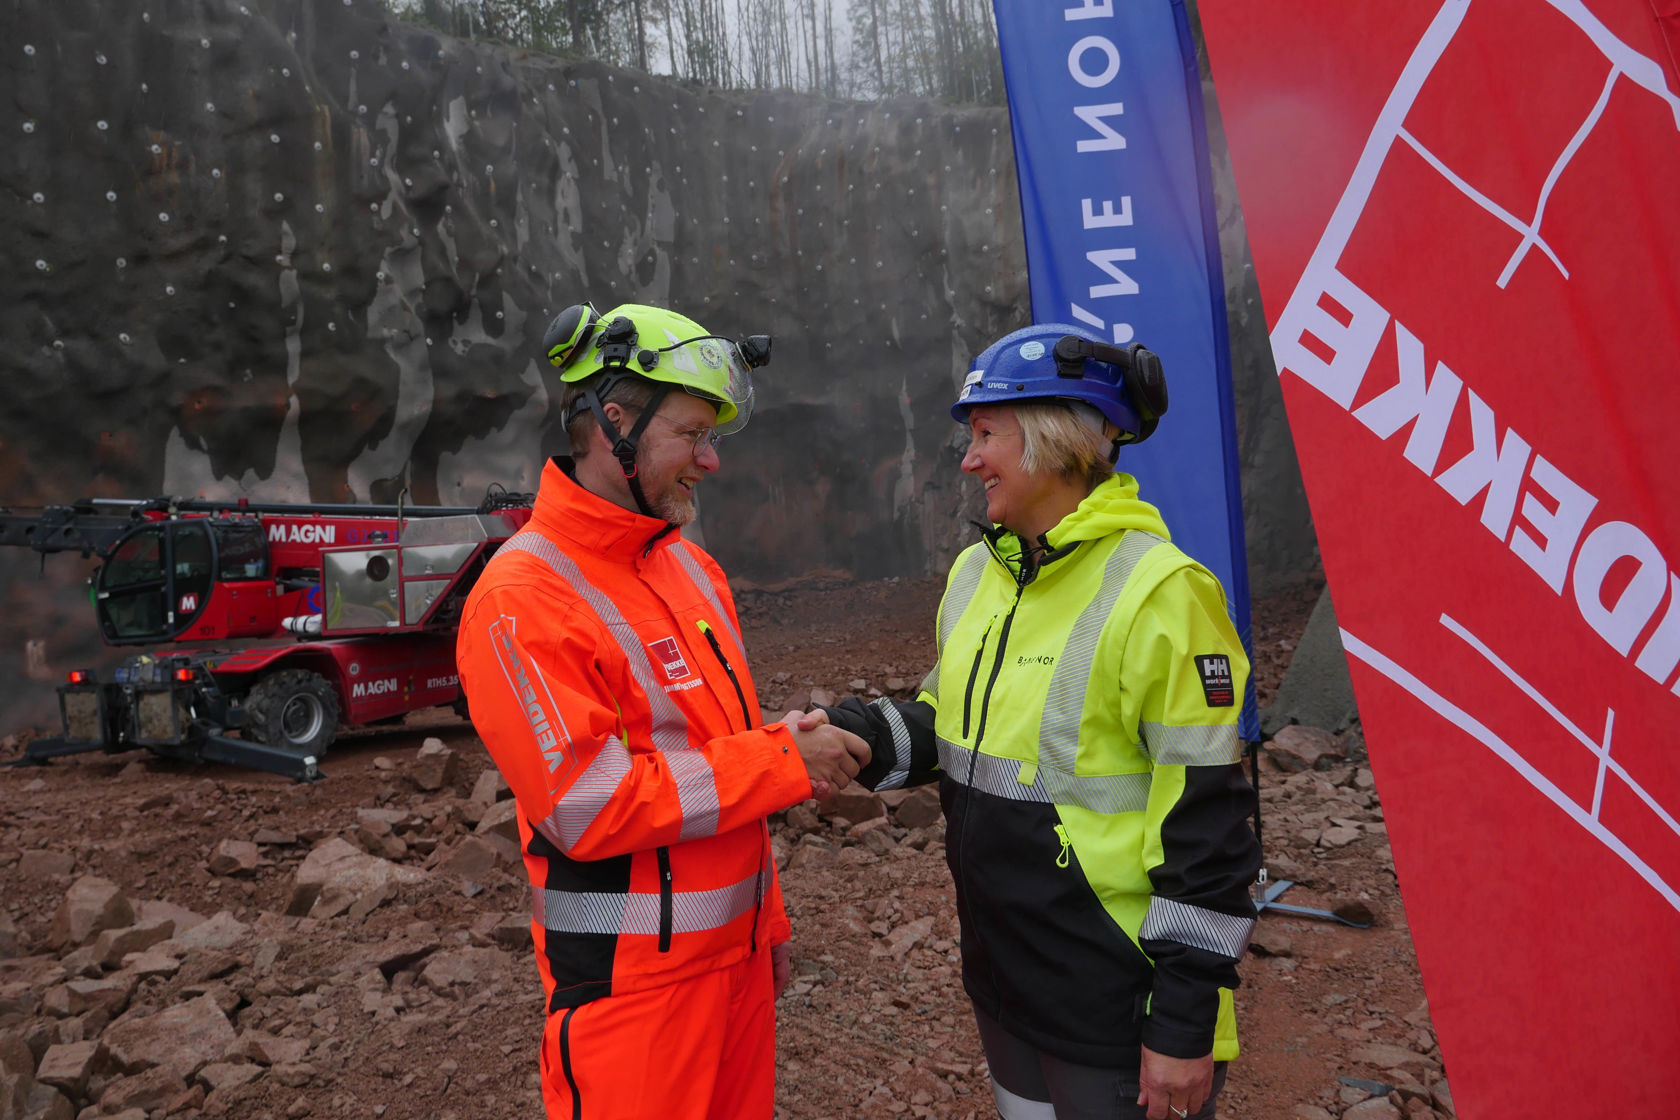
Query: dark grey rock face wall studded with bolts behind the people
{"points": [[300, 251]]}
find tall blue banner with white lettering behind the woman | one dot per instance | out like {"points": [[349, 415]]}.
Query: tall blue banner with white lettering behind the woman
{"points": [[1123, 236]]}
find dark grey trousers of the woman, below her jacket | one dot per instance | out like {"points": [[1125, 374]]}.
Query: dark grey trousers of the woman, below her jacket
{"points": [[1032, 1086]]}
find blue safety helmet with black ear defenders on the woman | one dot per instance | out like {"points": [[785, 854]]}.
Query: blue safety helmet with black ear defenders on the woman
{"points": [[1063, 362]]}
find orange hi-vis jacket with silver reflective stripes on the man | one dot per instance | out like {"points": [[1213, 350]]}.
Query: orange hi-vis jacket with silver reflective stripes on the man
{"points": [[602, 662]]}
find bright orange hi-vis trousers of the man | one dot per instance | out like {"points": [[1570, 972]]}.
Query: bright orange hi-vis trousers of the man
{"points": [[703, 1049]]}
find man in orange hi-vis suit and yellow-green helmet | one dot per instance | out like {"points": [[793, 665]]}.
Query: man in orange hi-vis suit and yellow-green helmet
{"points": [[602, 661]]}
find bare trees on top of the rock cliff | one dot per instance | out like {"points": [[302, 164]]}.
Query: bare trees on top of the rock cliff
{"points": [[942, 50]]}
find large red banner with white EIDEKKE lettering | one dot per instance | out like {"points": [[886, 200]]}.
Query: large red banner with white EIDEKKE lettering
{"points": [[1466, 219]]}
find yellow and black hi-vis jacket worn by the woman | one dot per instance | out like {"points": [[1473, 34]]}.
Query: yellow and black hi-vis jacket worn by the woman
{"points": [[1083, 723]]}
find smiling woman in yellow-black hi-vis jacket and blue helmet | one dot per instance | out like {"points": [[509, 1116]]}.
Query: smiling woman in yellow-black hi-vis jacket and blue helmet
{"points": [[1083, 725]]}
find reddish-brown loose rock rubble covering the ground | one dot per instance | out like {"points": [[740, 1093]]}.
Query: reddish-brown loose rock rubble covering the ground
{"points": [[211, 943]]}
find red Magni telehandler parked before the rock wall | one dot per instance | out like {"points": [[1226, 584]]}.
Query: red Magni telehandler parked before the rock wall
{"points": [[278, 622]]}
